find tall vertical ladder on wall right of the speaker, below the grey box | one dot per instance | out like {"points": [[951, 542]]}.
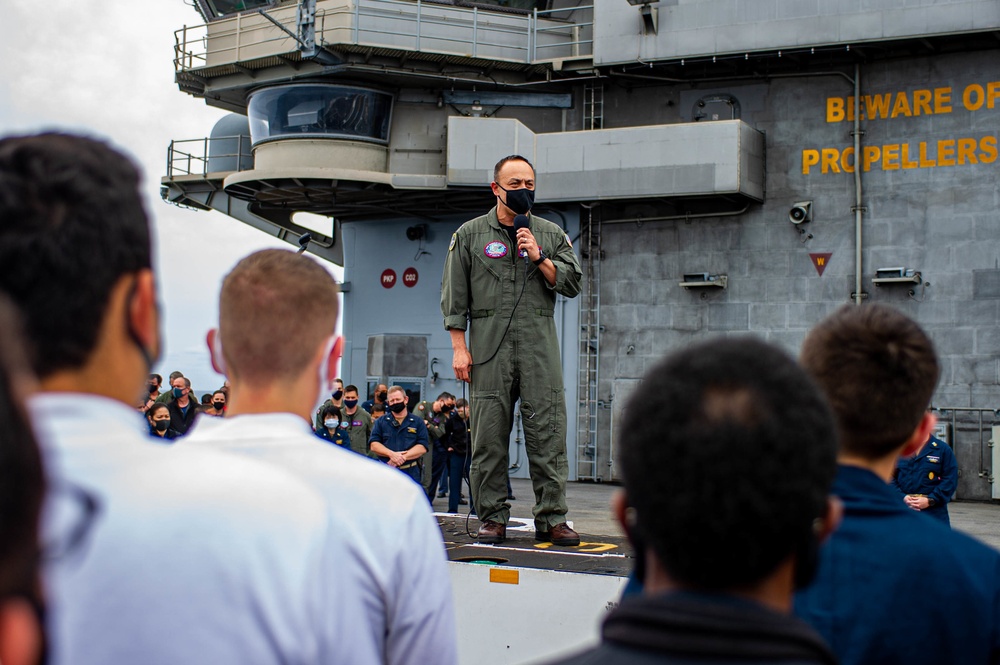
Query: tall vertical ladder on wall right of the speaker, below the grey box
{"points": [[589, 360]]}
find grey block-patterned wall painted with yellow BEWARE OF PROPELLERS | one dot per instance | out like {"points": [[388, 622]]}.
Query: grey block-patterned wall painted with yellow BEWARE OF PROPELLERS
{"points": [[932, 208]]}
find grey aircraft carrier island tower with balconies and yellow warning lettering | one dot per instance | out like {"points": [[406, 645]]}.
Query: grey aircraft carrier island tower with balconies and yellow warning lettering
{"points": [[722, 167]]}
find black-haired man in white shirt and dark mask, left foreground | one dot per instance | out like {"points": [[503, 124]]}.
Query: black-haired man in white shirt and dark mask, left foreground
{"points": [[153, 554]]}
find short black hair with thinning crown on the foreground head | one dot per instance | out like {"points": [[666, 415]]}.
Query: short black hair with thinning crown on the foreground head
{"points": [[731, 466]]}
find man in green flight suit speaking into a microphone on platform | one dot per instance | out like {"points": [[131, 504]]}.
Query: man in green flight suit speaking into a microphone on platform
{"points": [[507, 303]]}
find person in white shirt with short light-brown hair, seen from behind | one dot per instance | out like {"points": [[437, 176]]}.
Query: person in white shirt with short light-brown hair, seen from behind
{"points": [[276, 344]]}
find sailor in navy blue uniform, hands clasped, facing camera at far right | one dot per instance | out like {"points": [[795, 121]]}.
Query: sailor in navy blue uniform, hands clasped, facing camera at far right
{"points": [[928, 479]]}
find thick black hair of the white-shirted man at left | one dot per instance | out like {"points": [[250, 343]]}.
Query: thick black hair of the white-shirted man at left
{"points": [[71, 219]]}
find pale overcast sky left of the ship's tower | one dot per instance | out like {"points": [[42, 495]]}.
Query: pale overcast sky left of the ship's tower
{"points": [[105, 69]]}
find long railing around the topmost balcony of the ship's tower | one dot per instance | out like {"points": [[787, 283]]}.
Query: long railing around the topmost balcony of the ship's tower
{"points": [[408, 25]]}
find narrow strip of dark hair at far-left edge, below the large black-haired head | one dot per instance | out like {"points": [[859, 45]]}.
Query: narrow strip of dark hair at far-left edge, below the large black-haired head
{"points": [[22, 481]]}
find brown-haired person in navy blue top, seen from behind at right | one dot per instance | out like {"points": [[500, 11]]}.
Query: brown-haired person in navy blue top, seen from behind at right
{"points": [[893, 587]]}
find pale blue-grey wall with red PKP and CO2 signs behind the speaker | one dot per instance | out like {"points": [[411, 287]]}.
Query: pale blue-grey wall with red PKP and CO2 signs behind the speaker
{"points": [[372, 247]]}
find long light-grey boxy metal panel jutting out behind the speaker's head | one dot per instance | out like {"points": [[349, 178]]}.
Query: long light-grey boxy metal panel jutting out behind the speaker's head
{"points": [[684, 159]]}
